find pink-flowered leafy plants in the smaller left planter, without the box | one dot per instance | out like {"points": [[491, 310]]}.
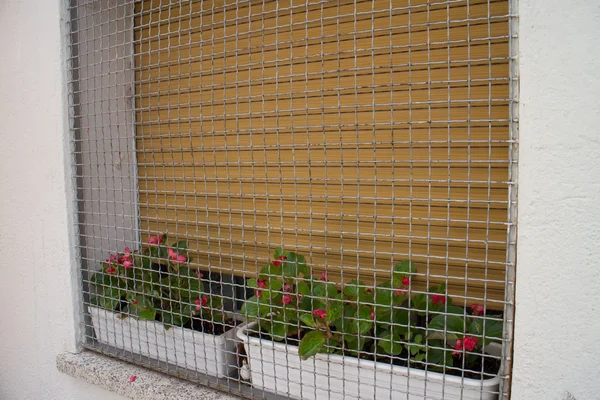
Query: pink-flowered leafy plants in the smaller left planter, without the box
{"points": [[157, 284]]}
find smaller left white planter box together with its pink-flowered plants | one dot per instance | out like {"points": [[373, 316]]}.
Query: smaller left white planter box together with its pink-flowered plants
{"points": [[154, 304]]}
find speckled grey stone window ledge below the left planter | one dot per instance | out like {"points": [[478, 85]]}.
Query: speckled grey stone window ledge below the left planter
{"points": [[114, 375]]}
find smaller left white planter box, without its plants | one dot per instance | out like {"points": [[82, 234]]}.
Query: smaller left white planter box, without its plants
{"points": [[209, 354]]}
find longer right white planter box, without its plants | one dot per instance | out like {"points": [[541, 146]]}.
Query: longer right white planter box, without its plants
{"points": [[277, 367]]}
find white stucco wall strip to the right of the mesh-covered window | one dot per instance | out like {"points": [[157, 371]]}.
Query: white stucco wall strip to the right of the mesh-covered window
{"points": [[557, 329]]}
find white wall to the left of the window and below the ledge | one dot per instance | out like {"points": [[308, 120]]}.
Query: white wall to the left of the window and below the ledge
{"points": [[37, 315]]}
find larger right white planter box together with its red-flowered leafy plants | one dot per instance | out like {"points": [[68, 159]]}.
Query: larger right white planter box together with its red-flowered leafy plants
{"points": [[311, 339]]}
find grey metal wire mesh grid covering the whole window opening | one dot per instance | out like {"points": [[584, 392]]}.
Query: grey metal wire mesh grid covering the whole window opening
{"points": [[307, 199]]}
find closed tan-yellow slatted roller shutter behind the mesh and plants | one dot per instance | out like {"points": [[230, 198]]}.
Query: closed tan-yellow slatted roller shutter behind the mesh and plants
{"points": [[356, 134]]}
